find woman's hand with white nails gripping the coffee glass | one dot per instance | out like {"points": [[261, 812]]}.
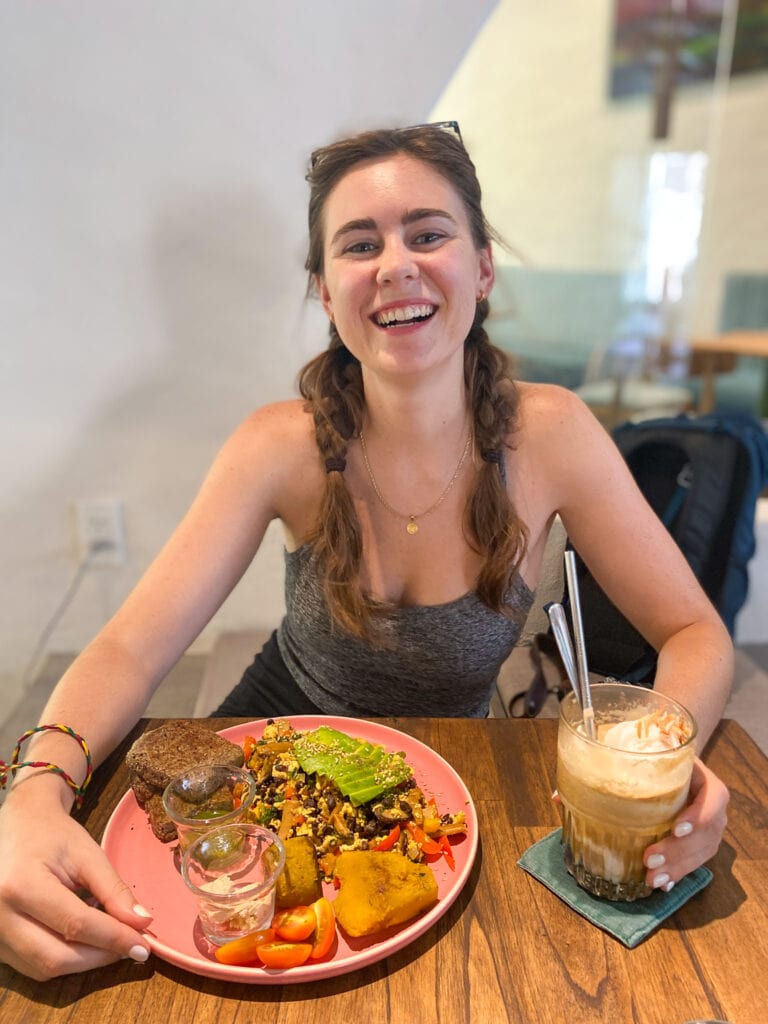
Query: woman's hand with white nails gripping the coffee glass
{"points": [[697, 834]]}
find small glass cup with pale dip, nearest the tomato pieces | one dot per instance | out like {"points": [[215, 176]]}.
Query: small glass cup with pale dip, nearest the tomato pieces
{"points": [[234, 872]]}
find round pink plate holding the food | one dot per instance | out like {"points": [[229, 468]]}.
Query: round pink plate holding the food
{"points": [[149, 867]]}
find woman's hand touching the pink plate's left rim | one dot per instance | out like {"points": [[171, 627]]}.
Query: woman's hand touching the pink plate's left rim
{"points": [[47, 929]]}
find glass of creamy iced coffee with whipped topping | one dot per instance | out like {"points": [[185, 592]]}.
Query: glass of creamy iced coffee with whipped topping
{"points": [[622, 791]]}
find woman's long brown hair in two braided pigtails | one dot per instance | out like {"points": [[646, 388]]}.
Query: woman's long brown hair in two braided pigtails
{"points": [[332, 386]]}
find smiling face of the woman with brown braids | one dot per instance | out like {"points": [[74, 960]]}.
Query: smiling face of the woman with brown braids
{"points": [[401, 283]]}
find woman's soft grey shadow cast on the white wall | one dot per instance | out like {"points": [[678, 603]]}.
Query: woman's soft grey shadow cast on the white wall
{"points": [[232, 312]]}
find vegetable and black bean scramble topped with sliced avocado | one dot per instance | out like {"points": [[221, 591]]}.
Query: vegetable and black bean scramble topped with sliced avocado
{"points": [[345, 794]]}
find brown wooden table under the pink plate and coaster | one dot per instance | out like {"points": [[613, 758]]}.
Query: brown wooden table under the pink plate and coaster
{"points": [[508, 950]]}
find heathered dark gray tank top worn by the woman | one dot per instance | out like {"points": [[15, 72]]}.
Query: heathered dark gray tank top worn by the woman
{"points": [[443, 662]]}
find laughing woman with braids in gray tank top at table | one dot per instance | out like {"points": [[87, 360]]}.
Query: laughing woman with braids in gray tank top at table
{"points": [[412, 416]]}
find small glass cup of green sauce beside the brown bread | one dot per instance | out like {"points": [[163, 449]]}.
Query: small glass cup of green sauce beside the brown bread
{"points": [[206, 797]]}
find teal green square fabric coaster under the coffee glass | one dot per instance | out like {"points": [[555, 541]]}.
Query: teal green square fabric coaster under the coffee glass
{"points": [[630, 923]]}
